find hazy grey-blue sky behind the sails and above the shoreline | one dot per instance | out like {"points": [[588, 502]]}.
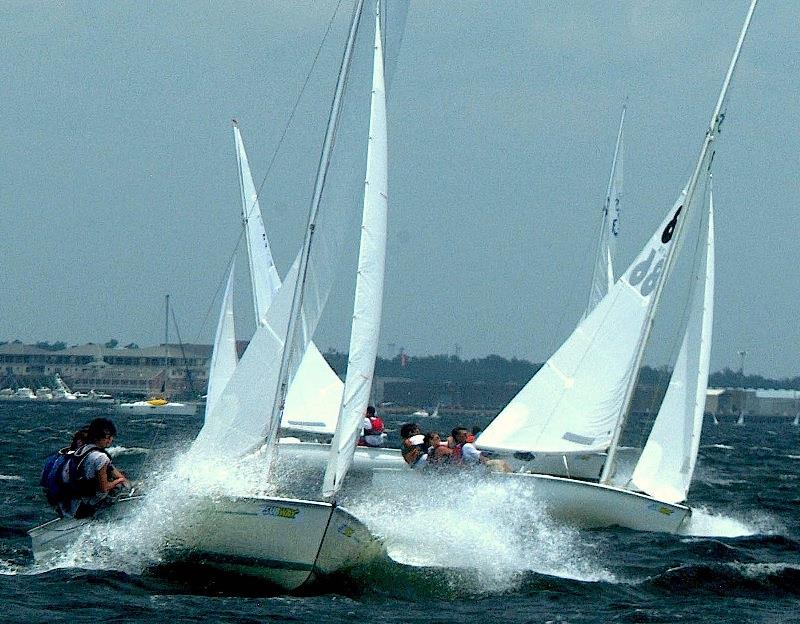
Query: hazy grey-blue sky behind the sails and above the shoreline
{"points": [[119, 182]]}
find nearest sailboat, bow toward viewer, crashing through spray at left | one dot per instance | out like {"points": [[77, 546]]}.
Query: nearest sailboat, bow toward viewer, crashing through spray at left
{"points": [[292, 540]]}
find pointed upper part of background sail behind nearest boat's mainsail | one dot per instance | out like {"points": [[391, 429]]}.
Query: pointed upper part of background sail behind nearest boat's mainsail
{"points": [[264, 277]]}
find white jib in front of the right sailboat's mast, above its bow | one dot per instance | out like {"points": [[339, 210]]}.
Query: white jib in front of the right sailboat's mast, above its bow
{"points": [[667, 463]]}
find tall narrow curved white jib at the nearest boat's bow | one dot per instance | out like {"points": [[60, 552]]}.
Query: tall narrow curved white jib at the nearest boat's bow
{"points": [[368, 302]]}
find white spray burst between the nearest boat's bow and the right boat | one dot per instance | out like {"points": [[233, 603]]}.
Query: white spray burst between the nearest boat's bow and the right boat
{"points": [[487, 532]]}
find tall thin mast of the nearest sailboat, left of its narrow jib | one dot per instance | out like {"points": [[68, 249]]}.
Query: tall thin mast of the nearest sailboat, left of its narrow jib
{"points": [[295, 324]]}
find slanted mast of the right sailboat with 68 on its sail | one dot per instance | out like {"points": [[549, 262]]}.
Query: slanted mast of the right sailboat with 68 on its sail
{"points": [[711, 133]]}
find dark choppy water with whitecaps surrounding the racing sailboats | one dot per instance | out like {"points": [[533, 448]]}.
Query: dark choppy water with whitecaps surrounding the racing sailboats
{"points": [[458, 550]]}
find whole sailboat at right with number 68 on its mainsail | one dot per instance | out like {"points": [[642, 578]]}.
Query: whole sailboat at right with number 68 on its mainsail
{"points": [[578, 402]]}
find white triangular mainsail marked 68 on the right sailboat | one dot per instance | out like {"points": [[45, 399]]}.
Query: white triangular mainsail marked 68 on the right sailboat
{"points": [[574, 401]]}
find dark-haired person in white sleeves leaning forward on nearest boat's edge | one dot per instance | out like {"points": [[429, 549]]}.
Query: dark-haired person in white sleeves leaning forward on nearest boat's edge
{"points": [[96, 469]]}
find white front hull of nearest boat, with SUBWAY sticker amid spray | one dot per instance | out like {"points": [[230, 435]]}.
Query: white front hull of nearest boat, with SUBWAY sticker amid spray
{"points": [[288, 542]]}
